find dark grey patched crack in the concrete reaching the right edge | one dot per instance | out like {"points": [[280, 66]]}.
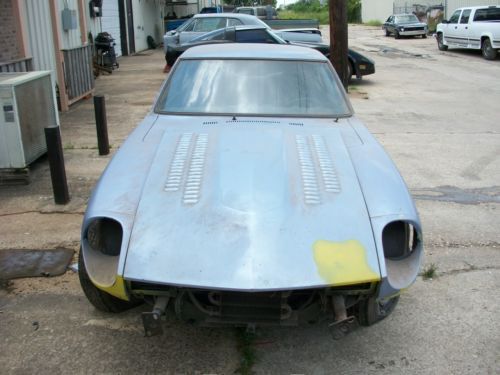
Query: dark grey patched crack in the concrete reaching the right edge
{"points": [[457, 195]]}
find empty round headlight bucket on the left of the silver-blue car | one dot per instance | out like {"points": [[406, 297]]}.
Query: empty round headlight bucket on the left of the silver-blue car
{"points": [[105, 236]]}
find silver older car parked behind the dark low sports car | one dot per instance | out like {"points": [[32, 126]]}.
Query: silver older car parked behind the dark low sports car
{"points": [[200, 24]]}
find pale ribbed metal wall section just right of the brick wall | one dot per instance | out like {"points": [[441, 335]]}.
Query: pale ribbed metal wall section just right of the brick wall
{"points": [[40, 41]]}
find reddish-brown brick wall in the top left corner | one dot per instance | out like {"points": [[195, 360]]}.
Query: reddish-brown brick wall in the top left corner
{"points": [[8, 34]]}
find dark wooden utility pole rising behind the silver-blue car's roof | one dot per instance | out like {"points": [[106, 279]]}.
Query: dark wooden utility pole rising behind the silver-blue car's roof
{"points": [[338, 38]]}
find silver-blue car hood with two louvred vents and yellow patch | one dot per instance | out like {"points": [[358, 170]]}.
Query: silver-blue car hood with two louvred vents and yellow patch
{"points": [[251, 205]]}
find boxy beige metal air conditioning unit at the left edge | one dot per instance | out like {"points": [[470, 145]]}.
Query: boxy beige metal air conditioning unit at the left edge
{"points": [[27, 106]]}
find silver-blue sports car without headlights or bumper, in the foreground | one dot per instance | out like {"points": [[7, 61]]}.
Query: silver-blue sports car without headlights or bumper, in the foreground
{"points": [[251, 195]]}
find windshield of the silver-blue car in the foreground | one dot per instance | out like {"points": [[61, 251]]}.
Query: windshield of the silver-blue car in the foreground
{"points": [[254, 87]]}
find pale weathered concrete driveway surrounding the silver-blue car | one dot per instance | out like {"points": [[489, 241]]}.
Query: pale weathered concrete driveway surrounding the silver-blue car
{"points": [[436, 113]]}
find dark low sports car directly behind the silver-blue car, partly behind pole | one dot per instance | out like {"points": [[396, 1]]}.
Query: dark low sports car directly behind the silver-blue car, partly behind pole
{"points": [[359, 65]]}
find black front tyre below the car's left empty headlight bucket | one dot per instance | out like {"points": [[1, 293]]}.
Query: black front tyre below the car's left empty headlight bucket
{"points": [[101, 300]]}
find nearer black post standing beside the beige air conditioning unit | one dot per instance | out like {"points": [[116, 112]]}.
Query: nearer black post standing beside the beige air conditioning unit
{"points": [[56, 162]]}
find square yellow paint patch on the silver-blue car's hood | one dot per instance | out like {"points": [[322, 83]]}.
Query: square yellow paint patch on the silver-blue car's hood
{"points": [[343, 263]]}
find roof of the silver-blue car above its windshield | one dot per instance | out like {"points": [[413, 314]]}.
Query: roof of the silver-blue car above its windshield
{"points": [[253, 51]]}
